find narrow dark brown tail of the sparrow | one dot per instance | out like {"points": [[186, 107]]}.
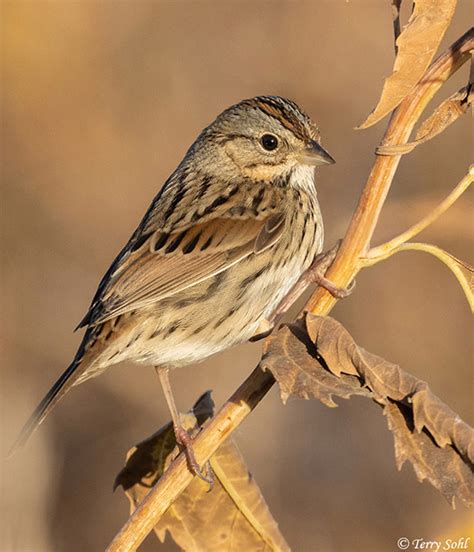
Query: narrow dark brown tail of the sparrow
{"points": [[57, 391]]}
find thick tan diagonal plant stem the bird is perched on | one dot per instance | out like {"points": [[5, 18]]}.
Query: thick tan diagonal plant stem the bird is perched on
{"points": [[345, 267]]}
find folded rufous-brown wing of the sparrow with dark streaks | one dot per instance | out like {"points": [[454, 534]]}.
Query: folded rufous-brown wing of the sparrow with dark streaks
{"points": [[167, 263]]}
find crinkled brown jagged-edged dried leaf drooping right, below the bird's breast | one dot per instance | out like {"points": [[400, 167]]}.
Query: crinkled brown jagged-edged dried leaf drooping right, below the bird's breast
{"points": [[318, 358]]}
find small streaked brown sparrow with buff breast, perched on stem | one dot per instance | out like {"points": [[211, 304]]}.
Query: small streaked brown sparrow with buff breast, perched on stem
{"points": [[231, 233]]}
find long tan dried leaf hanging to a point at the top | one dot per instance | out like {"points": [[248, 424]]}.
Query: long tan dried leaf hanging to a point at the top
{"points": [[417, 45]]}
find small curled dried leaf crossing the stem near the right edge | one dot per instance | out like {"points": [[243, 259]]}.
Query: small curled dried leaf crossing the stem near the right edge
{"points": [[444, 115]]}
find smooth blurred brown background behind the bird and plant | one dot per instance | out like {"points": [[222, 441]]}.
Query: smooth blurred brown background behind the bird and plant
{"points": [[100, 102]]}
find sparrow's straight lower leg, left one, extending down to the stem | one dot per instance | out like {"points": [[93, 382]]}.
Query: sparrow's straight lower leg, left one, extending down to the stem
{"points": [[183, 439]]}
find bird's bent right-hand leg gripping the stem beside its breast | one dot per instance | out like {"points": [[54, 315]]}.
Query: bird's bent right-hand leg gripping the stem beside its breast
{"points": [[315, 274]]}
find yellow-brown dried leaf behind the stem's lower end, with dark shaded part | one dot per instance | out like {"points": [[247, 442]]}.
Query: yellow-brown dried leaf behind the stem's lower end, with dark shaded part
{"points": [[232, 517]]}
